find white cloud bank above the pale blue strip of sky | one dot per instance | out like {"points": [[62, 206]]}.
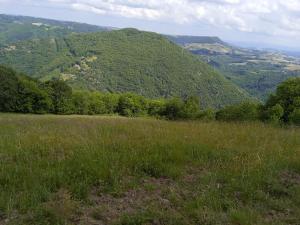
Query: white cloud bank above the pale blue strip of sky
{"points": [[271, 17]]}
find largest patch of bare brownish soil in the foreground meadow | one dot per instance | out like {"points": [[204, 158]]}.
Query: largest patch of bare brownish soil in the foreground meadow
{"points": [[107, 209]]}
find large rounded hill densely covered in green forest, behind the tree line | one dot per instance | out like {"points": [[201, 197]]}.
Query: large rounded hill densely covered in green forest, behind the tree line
{"points": [[123, 61]]}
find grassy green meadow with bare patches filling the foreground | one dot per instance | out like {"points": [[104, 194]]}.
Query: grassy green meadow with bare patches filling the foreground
{"points": [[106, 170]]}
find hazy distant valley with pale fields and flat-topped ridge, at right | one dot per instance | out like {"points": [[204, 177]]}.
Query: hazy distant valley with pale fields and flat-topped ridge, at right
{"points": [[258, 72]]}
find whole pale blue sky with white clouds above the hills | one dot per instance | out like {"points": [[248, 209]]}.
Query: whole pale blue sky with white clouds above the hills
{"points": [[269, 23]]}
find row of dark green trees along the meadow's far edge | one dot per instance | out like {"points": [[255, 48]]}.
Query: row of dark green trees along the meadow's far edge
{"points": [[21, 94]]}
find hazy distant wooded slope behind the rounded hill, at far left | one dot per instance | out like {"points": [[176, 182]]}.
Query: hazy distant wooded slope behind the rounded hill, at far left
{"points": [[19, 28]]}
